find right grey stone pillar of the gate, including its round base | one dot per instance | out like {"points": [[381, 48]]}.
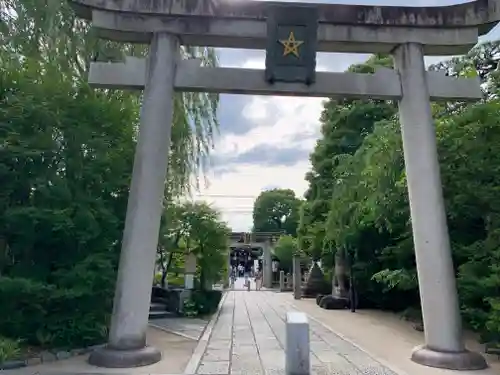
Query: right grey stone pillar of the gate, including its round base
{"points": [[444, 346]]}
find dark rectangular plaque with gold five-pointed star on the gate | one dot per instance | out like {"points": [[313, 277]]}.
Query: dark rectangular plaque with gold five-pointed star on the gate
{"points": [[291, 44]]}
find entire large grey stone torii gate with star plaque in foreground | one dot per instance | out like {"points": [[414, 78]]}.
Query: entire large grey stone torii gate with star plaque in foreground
{"points": [[302, 30]]}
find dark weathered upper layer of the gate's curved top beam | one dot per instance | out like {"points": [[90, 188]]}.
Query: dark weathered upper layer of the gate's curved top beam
{"points": [[475, 13]]}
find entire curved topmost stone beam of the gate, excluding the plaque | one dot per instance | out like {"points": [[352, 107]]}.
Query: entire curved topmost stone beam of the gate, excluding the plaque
{"points": [[446, 30]]}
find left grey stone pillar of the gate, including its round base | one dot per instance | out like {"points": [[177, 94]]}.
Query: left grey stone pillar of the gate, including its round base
{"points": [[127, 337]]}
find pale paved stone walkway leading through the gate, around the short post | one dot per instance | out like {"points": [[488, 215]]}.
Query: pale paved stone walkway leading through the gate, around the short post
{"points": [[249, 337]]}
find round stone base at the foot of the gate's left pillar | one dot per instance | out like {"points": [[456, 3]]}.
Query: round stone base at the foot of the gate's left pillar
{"points": [[113, 358]]}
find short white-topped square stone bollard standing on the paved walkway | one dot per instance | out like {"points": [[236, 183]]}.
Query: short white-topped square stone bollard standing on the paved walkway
{"points": [[297, 354]]}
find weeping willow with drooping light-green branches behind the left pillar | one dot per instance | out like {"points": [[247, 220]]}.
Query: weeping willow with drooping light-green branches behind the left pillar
{"points": [[51, 36]]}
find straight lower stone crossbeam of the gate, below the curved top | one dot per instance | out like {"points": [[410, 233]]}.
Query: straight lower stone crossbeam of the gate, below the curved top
{"points": [[191, 76]]}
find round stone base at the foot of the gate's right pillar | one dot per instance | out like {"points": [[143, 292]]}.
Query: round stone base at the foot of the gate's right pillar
{"points": [[461, 361]]}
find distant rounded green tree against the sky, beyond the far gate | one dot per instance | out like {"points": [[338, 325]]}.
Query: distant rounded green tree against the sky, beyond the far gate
{"points": [[276, 210]]}
